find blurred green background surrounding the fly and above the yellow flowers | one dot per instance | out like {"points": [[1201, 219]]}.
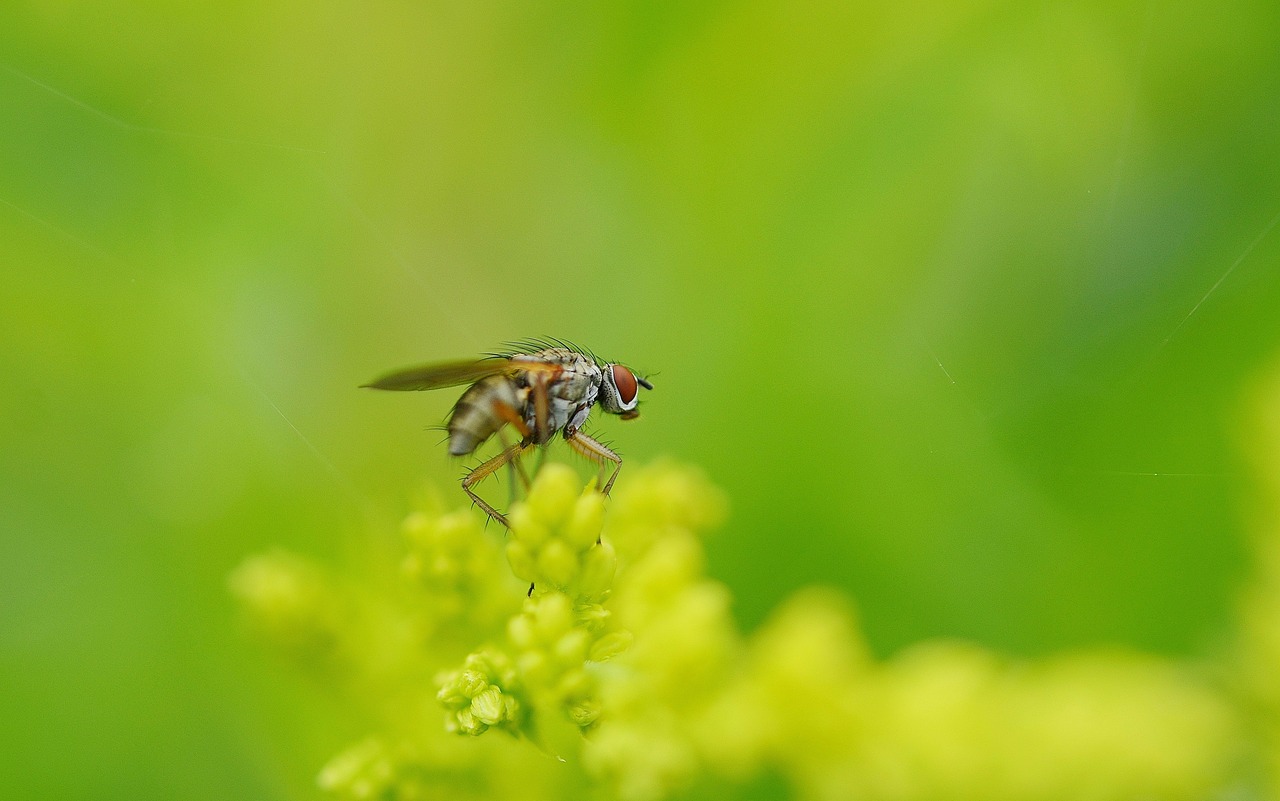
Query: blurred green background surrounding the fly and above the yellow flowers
{"points": [[957, 301]]}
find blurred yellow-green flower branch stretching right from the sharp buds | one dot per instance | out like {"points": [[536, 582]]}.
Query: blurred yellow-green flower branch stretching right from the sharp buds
{"points": [[803, 698]]}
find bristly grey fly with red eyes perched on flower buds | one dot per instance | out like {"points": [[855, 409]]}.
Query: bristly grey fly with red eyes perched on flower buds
{"points": [[540, 388]]}
